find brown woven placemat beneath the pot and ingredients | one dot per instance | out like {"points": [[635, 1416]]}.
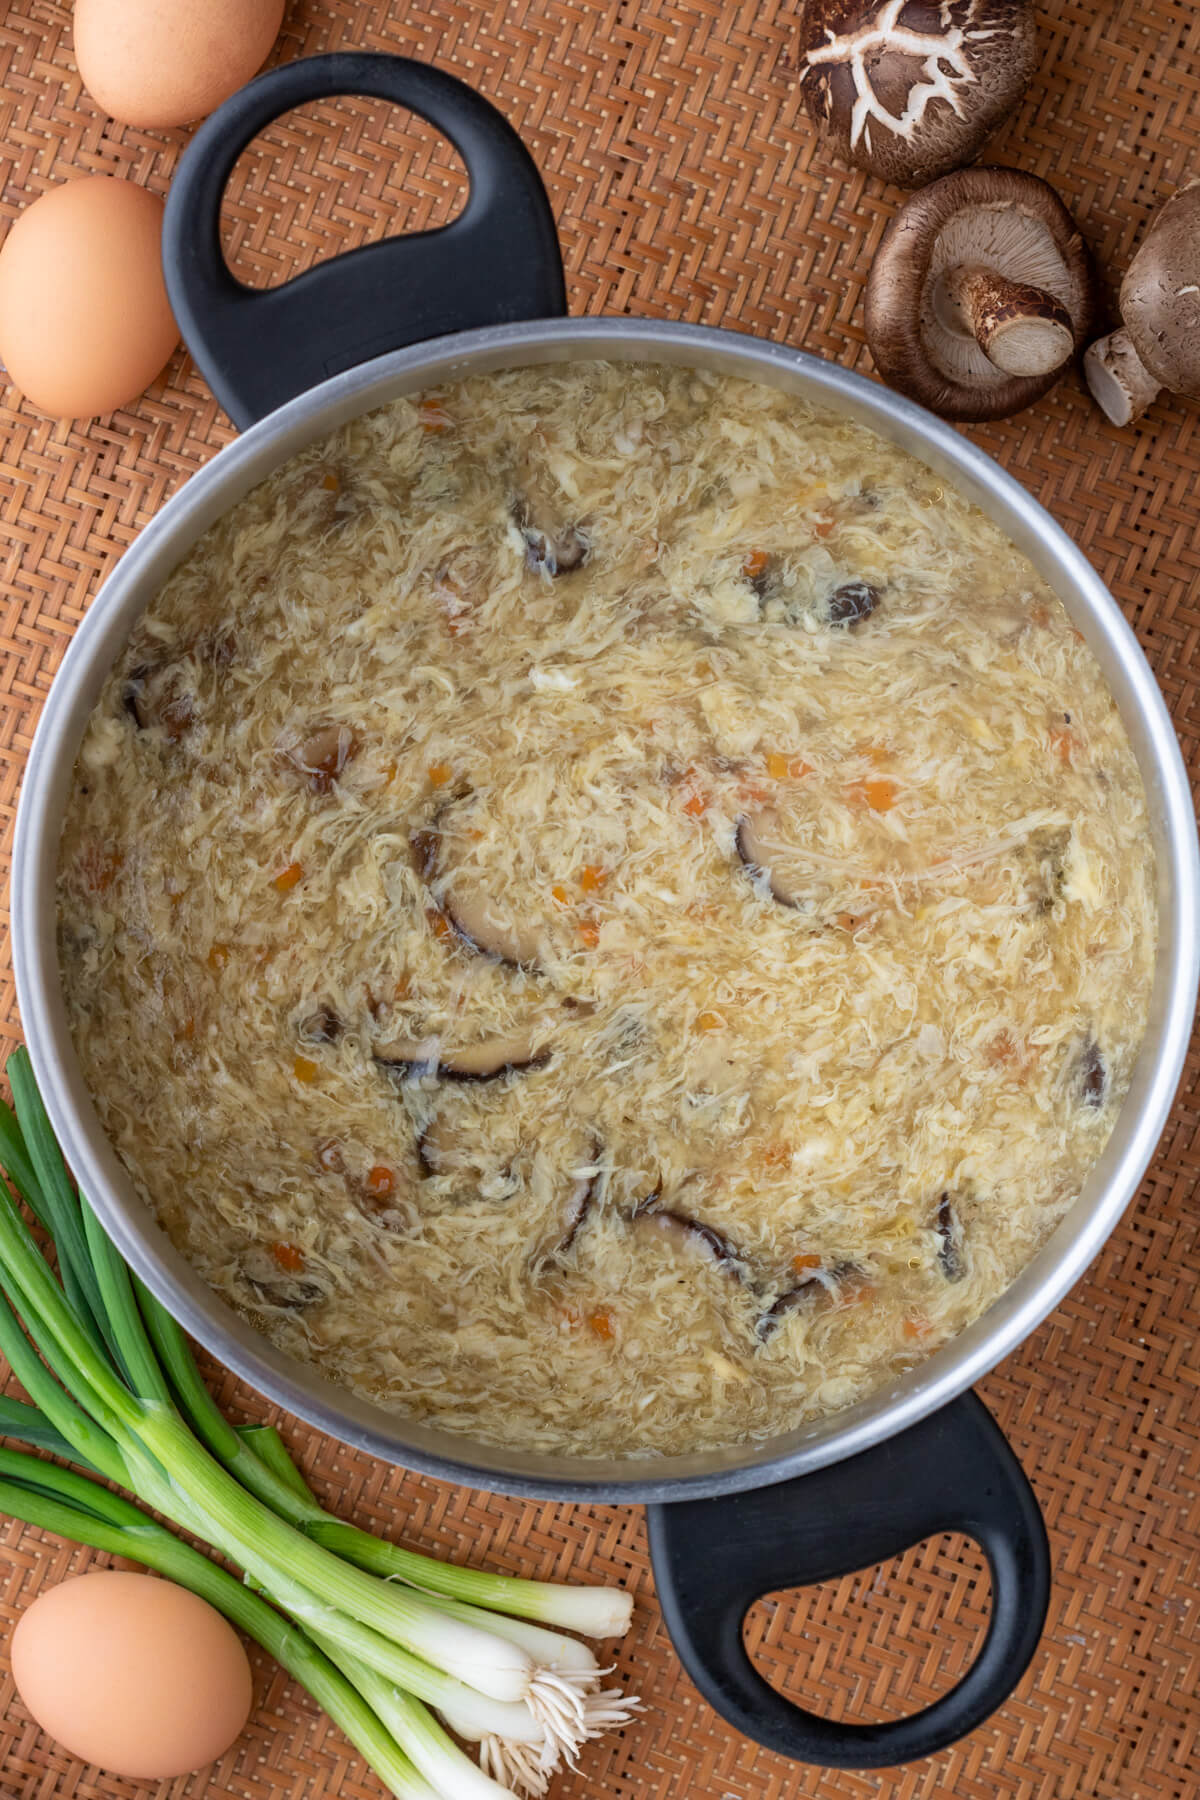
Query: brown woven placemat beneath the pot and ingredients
{"points": [[690, 186]]}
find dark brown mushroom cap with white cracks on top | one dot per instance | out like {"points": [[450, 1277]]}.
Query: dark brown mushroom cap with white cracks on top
{"points": [[911, 89]]}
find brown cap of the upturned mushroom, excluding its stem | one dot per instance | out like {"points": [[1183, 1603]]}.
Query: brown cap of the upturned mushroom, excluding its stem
{"points": [[992, 219]]}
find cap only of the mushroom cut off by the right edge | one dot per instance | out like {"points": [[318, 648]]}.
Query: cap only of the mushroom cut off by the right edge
{"points": [[1161, 294]]}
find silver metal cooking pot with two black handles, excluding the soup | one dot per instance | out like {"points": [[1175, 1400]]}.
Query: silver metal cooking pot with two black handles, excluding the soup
{"points": [[918, 1457]]}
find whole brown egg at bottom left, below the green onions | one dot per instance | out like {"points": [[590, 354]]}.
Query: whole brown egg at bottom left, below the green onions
{"points": [[132, 1673]]}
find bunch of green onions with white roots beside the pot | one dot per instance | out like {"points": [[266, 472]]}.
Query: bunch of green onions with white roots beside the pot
{"points": [[377, 1633]]}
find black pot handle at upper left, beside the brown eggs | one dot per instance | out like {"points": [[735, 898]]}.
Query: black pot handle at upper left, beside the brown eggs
{"points": [[497, 262]]}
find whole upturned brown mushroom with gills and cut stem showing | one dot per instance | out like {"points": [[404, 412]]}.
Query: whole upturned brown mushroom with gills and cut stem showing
{"points": [[1030, 278]]}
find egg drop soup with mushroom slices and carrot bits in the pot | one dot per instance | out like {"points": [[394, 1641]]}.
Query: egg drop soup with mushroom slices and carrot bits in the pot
{"points": [[607, 910]]}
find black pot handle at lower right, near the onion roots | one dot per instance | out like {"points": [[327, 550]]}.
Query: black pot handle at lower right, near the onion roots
{"points": [[951, 1473]]}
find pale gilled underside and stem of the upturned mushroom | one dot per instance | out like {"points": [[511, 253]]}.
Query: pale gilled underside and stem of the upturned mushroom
{"points": [[998, 298]]}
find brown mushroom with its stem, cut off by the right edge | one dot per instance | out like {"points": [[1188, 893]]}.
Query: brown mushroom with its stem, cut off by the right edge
{"points": [[1160, 345]]}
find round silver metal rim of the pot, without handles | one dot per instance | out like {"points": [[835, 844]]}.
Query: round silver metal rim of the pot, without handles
{"points": [[300, 1387]]}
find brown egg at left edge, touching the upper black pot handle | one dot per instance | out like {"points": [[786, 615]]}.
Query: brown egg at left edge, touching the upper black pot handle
{"points": [[85, 323]]}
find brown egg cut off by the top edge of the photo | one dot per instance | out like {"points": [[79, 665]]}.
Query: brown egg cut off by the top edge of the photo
{"points": [[170, 62]]}
